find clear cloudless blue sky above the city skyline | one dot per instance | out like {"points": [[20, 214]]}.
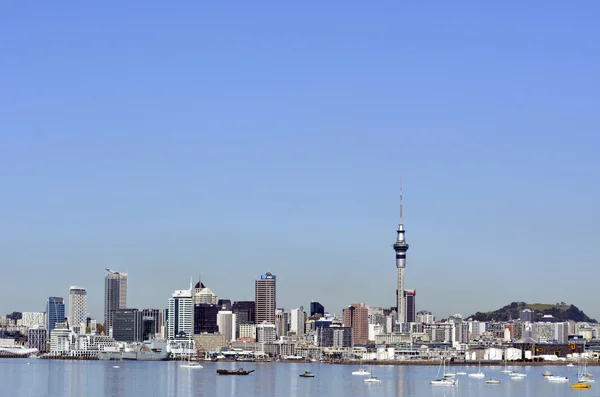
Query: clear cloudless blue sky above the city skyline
{"points": [[229, 138]]}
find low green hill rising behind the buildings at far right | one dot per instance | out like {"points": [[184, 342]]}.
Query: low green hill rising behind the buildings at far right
{"points": [[560, 311]]}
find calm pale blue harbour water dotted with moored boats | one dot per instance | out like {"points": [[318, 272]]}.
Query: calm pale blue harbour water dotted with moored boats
{"points": [[167, 379]]}
